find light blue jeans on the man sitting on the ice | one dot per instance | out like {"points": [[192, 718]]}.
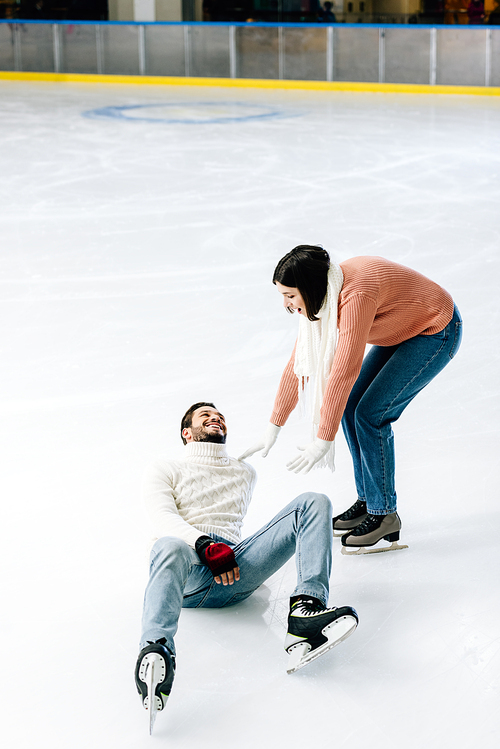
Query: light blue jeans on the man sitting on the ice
{"points": [[178, 578]]}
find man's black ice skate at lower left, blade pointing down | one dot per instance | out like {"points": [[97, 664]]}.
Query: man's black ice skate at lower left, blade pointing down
{"points": [[154, 674]]}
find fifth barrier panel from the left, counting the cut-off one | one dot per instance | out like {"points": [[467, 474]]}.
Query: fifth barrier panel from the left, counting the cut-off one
{"points": [[164, 50]]}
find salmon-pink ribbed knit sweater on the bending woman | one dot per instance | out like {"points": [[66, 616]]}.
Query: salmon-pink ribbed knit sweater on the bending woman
{"points": [[382, 303]]}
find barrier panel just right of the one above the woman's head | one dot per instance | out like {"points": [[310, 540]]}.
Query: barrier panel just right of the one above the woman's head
{"points": [[355, 54]]}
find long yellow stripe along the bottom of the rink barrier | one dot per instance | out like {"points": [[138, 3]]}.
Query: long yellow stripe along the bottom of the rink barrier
{"points": [[401, 88]]}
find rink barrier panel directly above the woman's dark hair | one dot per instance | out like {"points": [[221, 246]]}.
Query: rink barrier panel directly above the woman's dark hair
{"points": [[304, 54]]}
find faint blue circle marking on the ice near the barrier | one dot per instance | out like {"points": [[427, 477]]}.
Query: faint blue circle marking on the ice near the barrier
{"points": [[190, 113]]}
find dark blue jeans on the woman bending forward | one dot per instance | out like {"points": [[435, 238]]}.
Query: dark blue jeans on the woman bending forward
{"points": [[391, 376]]}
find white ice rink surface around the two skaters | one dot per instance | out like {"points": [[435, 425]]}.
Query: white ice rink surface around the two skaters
{"points": [[139, 229]]}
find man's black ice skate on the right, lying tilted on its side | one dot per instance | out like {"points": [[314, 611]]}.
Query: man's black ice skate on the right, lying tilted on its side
{"points": [[314, 629]]}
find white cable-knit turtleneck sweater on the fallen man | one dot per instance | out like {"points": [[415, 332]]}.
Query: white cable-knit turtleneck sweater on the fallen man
{"points": [[204, 493]]}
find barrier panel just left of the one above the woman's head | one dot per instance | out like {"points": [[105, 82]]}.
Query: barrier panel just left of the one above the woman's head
{"points": [[257, 52]]}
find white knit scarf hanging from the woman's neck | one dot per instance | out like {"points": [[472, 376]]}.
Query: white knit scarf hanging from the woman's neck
{"points": [[316, 344]]}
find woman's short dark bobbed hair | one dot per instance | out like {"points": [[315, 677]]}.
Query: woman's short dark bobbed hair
{"points": [[305, 268]]}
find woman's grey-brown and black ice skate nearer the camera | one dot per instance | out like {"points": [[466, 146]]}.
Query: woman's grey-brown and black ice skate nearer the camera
{"points": [[375, 529]]}
